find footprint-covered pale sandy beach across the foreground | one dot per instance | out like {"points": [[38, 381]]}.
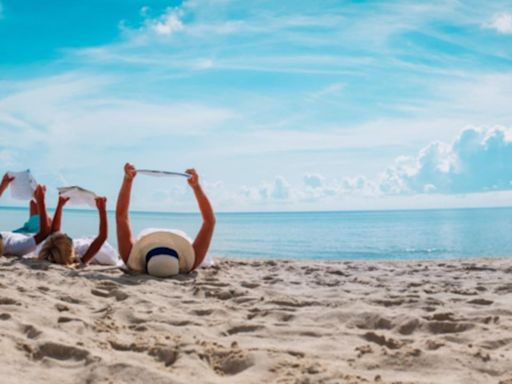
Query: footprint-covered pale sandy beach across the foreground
{"points": [[259, 322]]}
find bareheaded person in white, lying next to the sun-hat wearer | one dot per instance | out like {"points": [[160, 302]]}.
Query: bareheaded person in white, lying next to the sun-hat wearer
{"points": [[61, 249]]}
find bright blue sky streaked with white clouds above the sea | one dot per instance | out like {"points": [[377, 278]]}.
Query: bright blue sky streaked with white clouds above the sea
{"points": [[289, 105]]}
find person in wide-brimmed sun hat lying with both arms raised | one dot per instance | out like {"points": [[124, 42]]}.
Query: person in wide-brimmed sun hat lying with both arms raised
{"points": [[162, 252]]}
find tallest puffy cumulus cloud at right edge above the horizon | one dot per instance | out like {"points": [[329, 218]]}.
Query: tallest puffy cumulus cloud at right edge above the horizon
{"points": [[478, 160]]}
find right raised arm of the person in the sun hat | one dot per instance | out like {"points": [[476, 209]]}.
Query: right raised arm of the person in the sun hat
{"points": [[204, 236]]}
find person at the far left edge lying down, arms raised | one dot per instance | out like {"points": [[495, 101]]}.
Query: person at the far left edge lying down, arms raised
{"points": [[17, 244]]}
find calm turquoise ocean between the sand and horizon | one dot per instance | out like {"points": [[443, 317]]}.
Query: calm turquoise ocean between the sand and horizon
{"points": [[361, 235]]}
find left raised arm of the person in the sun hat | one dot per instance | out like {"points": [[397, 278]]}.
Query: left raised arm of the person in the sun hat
{"points": [[124, 231]]}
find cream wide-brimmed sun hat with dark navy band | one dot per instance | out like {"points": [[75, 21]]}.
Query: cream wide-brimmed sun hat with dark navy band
{"points": [[162, 253]]}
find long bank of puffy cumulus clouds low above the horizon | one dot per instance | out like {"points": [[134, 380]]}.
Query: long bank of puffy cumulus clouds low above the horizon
{"points": [[477, 161]]}
